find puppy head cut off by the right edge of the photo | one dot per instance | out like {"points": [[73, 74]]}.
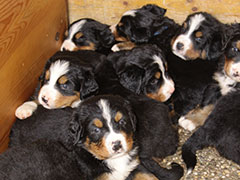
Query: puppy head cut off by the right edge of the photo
{"points": [[232, 54]]}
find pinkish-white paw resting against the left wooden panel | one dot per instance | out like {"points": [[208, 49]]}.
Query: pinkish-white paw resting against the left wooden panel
{"points": [[25, 110]]}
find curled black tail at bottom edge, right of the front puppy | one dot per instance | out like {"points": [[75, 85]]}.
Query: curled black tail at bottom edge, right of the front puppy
{"points": [[175, 173]]}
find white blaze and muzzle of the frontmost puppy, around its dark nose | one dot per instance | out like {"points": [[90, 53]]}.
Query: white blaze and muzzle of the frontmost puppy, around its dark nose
{"points": [[112, 136]]}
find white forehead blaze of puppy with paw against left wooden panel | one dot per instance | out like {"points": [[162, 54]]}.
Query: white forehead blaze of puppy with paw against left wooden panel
{"points": [[57, 69]]}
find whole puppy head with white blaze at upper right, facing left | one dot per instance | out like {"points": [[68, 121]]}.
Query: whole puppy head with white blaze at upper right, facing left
{"points": [[201, 36]]}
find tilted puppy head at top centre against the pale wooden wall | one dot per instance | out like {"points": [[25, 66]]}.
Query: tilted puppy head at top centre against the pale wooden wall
{"points": [[138, 25]]}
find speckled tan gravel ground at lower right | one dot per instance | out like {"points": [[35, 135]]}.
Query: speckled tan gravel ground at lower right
{"points": [[210, 165]]}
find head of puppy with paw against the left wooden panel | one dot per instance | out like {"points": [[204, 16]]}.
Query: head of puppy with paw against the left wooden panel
{"points": [[65, 82]]}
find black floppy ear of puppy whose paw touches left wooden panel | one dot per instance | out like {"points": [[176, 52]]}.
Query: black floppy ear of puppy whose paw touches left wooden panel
{"points": [[89, 85]]}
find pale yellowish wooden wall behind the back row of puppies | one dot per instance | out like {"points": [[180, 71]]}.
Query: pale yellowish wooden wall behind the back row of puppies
{"points": [[109, 11]]}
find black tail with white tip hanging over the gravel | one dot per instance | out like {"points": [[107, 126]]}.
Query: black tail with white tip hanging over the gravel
{"points": [[196, 142]]}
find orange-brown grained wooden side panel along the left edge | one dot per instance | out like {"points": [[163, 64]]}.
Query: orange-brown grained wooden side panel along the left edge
{"points": [[28, 31]]}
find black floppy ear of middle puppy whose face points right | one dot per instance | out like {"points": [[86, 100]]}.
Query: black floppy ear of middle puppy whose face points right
{"points": [[131, 77]]}
